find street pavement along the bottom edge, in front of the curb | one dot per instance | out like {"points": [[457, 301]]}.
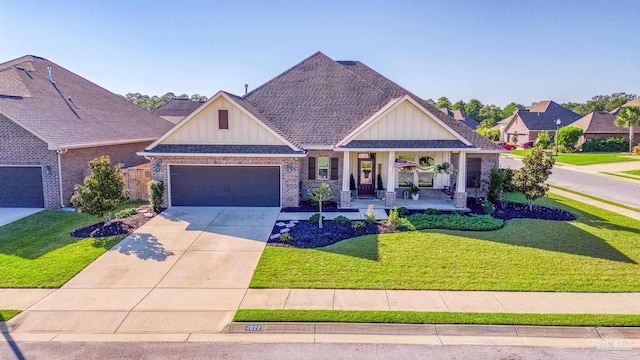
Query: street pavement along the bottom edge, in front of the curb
{"points": [[87, 351]]}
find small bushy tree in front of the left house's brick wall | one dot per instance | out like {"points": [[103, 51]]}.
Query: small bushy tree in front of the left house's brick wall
{"points": [[103, 190]]}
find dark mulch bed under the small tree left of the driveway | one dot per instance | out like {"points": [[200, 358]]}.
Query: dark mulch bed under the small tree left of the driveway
{"points": [[118, 226]]}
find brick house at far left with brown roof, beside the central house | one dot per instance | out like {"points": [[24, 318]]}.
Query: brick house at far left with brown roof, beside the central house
{"points": [[52, 122]]}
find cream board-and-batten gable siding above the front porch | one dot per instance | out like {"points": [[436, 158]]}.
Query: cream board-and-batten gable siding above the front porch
{"points": [[406, 122]]}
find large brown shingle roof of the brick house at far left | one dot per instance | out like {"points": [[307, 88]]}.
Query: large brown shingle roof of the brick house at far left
{"points": [[70, 111]]}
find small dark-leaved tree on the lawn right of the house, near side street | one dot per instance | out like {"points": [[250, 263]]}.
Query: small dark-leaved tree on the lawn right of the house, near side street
{"points": [[529, 180]]}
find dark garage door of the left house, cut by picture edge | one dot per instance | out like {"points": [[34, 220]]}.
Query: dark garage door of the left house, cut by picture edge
{"points": [[21, 187]]}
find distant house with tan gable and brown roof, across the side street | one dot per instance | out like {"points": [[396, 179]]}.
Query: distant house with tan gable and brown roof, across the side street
{"points": [[525, 125]]}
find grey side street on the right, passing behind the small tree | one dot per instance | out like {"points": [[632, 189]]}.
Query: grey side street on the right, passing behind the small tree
{"points": [[607, 187]]}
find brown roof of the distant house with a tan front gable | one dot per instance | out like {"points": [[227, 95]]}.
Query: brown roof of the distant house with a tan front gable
{"points": [[542, 115]]}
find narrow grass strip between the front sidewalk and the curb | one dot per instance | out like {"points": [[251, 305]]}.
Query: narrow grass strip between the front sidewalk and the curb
{"points": [[419, 317]]}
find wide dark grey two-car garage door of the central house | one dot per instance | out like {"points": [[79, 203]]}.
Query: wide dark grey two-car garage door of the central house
{"points": [[225, 185]]}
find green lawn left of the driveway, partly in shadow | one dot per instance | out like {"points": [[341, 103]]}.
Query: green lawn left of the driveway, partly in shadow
{"points": [[38, 251]]}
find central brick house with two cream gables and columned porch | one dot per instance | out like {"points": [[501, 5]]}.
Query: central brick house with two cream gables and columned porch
{"points": [[320, 121]]}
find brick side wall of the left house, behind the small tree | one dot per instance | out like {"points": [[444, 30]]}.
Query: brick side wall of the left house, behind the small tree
{"points": [[74, 162]]}
